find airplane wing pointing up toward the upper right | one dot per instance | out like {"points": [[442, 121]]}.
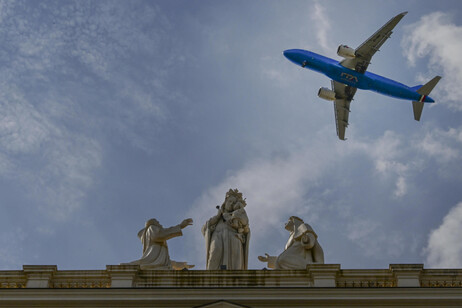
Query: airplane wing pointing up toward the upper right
{"points": [[366, 50]]}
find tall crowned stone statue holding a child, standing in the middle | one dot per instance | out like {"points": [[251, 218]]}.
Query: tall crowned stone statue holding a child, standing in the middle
{"points": [[227, 235]]}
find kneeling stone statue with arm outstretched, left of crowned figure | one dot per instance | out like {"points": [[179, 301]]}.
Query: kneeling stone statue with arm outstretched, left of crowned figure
{"points": [[155, 250]]}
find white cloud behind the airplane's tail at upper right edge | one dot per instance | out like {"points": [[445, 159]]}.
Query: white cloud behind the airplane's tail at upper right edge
{"points": [[436, 38]]}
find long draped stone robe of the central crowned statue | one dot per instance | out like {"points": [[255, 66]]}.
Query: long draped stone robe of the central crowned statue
{"points": [[225, 246]]}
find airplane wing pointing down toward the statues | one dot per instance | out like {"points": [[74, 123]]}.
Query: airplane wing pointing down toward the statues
{"points": [[344, 95]]}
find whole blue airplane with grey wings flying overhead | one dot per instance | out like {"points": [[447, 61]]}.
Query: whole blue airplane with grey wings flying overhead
{"points": [[350, 74]]}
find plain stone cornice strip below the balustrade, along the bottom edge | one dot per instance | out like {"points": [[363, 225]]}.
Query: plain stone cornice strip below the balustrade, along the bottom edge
{"points": [[249, 297]]}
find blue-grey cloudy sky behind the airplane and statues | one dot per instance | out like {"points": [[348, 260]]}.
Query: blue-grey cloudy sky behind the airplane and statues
{"points": [[114, 112]]}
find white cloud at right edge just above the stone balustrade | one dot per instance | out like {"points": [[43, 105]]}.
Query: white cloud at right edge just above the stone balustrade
{"points": [[444, 247]]}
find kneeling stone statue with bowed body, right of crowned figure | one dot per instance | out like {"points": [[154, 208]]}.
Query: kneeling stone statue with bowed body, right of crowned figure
{"points": [[301, 249]]}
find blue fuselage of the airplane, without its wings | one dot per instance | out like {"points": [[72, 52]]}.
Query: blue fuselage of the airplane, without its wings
{"points": [[367, 81]]}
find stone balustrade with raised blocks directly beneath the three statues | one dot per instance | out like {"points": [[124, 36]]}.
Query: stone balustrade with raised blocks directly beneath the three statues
{"points": [[315, 275]]}
